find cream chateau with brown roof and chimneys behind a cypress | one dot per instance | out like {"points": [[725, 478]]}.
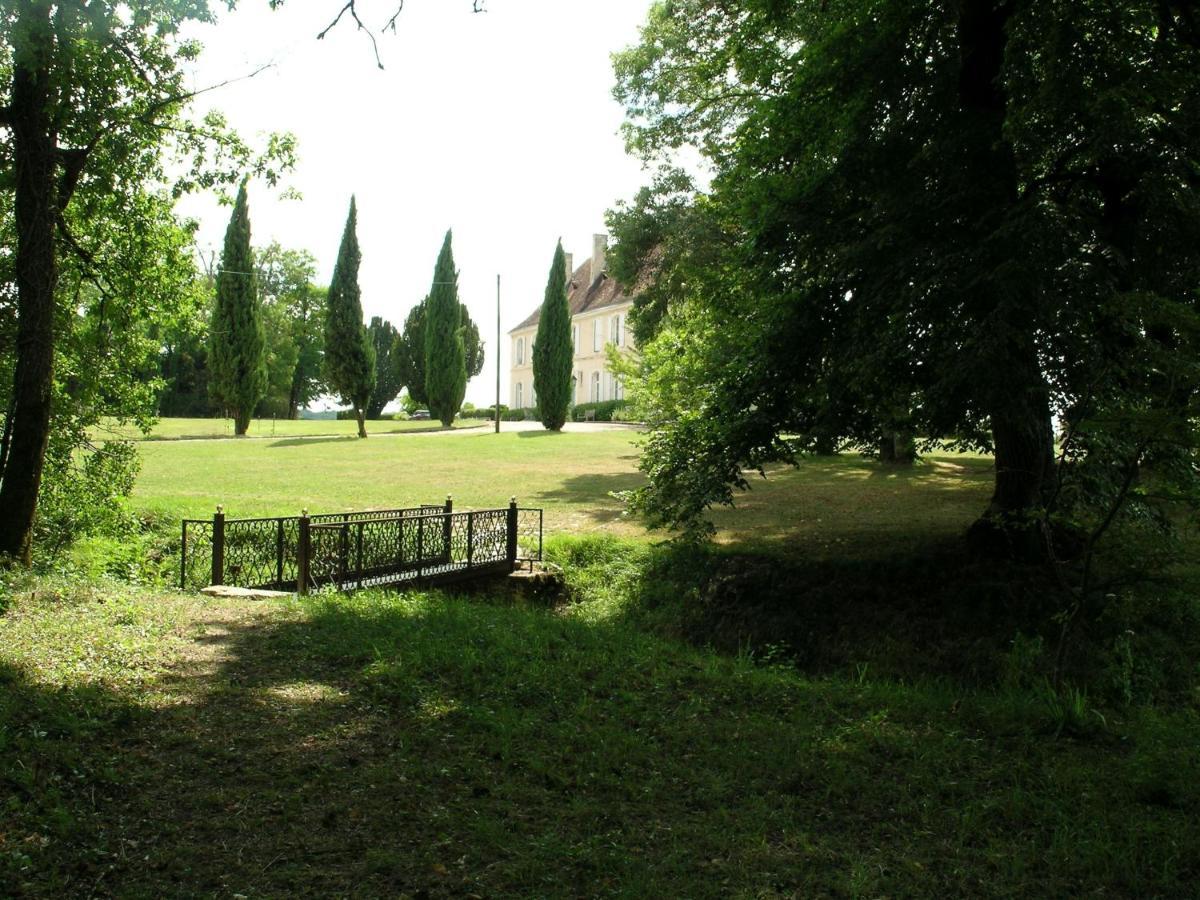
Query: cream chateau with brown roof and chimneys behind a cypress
{"points": [[599, 309]]}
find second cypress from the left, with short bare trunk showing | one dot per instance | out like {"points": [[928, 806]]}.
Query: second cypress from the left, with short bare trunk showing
{"points": [[350, 357]]}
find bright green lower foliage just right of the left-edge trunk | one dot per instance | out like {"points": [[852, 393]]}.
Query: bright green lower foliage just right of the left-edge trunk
{"points": [[107, 347]]}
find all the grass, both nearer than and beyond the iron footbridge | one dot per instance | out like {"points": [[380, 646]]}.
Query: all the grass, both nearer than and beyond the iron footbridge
{"points": [[889, 736]]}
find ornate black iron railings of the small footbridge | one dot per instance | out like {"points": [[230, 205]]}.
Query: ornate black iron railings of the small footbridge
{"points": [[356, 550]]}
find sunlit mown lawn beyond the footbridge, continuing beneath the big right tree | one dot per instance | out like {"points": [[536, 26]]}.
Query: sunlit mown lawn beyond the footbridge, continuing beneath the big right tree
{"points": [[830, 505]]}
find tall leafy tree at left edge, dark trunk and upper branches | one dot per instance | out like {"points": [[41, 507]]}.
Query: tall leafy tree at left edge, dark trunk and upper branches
{"points": [[93, 94]]}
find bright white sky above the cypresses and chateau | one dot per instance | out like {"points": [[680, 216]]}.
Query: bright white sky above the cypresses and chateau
{"points": [[500, 125]]}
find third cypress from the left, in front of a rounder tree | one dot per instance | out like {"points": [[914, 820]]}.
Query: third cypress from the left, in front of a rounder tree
{"points": [[446, 361]]}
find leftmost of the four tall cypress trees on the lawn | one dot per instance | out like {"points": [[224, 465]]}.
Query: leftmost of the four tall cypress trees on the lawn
{"points": [[237, 367]]}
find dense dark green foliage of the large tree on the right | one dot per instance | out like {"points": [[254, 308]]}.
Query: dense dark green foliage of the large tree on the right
{"points": [[955, 248]]}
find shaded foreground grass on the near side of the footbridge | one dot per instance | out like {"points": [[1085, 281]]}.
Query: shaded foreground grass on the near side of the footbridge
{"points": [[439, 746]]}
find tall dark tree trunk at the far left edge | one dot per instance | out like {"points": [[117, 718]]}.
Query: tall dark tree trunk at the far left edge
{"points": [[35, 145]]}
